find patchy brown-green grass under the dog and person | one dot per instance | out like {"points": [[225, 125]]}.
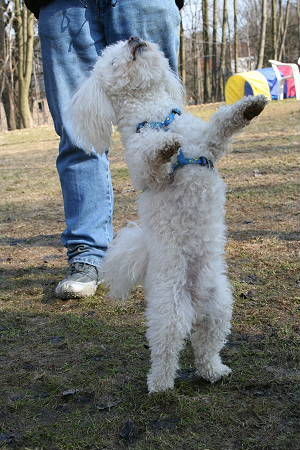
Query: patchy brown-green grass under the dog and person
{"points": [[73, 374]]}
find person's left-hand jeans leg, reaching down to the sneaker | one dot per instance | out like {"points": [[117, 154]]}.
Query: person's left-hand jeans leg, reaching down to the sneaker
{"points": [[71, 40]]}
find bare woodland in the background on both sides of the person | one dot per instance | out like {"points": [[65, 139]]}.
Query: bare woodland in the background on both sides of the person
{"points": [[217, 38]]}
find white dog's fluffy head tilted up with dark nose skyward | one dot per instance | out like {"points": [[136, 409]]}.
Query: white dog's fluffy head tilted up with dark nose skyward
{"points": [[129, 68]]}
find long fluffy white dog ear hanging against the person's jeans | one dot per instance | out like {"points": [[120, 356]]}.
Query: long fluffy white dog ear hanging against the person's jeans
{"points": [[89, 116]]}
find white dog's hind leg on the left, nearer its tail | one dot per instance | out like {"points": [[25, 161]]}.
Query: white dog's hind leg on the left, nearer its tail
{"points": [[170, 315]]}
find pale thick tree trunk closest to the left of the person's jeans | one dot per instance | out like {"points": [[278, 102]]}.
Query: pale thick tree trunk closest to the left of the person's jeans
{"points": [[24, 36]]}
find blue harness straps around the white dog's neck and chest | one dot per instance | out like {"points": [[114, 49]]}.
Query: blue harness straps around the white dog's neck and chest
{"points": [[182, 160]]}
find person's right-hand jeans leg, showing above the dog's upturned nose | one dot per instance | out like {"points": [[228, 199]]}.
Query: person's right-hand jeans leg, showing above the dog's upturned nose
{"points": [[153, 20]]}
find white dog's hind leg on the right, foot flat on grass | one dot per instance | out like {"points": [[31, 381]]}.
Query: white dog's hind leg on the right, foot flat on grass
{"points": [[212, 326]]}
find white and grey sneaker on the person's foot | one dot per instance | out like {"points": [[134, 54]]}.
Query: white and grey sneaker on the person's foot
{"points": [[82, 281]]}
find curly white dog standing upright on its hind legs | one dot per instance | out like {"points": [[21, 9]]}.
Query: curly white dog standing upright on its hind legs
{"points": [[177, 251]]}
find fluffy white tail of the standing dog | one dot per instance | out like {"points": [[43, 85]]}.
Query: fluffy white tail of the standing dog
{"points": [[125, 262]]}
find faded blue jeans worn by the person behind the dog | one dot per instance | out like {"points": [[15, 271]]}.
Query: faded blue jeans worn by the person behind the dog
{"points": [[73, 33]]}
